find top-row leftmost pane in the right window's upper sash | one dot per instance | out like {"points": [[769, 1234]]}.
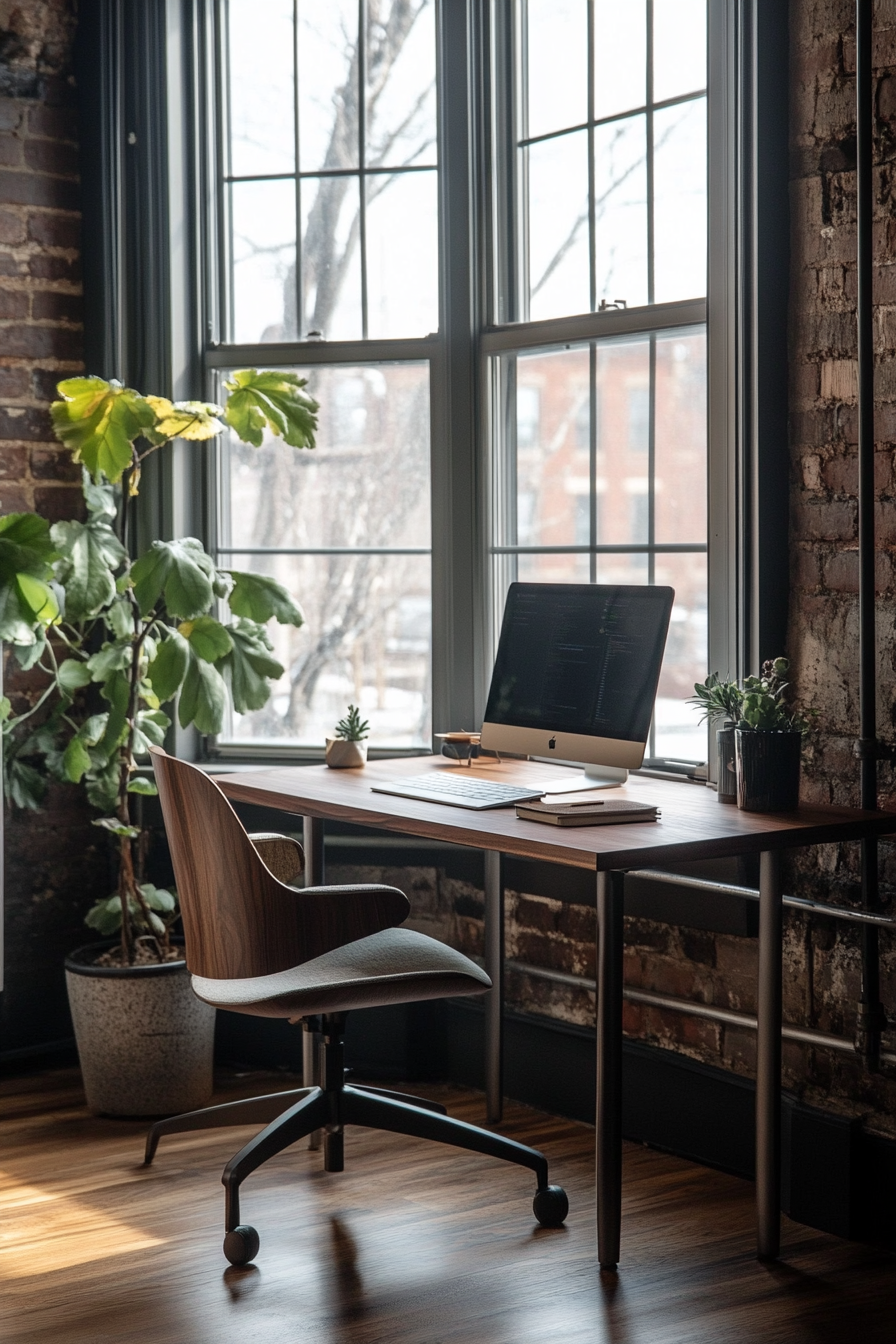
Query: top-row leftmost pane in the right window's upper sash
{"points": [[558, 65]]}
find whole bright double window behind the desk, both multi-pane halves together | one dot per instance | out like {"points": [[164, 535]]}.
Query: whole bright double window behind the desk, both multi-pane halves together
{"points": [[479, 230]]}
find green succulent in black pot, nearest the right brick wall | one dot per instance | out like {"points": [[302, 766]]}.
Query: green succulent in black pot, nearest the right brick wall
{"points": [[769, 743]]}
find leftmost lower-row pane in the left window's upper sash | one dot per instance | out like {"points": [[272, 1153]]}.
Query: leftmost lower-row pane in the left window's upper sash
{"points": [[264, 261]]}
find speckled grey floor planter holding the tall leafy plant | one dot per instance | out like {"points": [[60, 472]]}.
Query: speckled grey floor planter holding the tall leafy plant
{"points": [[144, 1040]]}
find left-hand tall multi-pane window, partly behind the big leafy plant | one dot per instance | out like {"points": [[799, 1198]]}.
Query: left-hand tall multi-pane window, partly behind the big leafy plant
{"points": [[328, 197]]}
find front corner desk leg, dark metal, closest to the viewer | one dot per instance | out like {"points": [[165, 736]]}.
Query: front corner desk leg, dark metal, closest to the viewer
{"points": [[609, 1111]]}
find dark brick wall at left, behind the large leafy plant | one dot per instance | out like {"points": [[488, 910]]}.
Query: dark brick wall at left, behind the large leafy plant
{"points": [[52, 861]]}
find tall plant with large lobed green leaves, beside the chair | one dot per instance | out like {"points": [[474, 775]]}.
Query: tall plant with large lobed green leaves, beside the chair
{"points": [[127, 642]]}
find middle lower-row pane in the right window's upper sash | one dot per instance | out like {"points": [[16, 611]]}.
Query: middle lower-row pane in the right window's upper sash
{"points": [[621, 212]]}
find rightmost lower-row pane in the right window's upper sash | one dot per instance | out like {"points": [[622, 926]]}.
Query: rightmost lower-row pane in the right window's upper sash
{"points": [[680, 202]]}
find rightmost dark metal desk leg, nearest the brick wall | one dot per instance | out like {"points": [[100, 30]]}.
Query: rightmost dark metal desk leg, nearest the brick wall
{"points": [[769, 1058]]}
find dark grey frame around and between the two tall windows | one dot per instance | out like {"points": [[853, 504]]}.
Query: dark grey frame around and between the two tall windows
{"points": [[144, 71]]}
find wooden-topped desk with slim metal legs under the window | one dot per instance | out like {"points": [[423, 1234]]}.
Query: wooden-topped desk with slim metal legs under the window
{"points": [[694, 826]]}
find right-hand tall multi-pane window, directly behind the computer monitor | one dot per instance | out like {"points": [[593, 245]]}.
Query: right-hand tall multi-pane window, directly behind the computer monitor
{"points": [[601, 278]]}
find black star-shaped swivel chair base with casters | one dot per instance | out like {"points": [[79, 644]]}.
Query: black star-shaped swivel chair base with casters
{"points": [[292, 1116]]}
